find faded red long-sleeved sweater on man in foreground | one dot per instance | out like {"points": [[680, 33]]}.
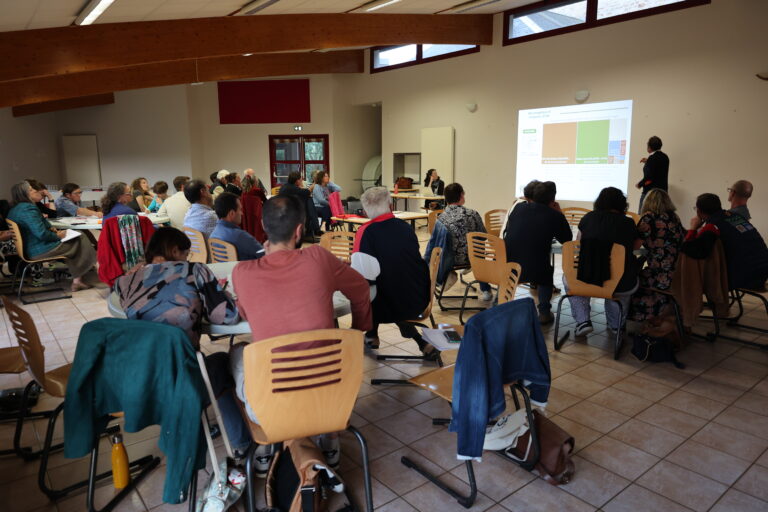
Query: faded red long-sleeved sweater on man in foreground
{"points": [[292, 291]]}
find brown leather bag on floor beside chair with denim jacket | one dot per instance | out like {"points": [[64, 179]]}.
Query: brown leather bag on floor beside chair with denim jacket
{"points": [[556, 449]]}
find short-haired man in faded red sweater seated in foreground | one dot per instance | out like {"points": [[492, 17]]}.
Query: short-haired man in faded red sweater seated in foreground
{"points": [[291, 290]]}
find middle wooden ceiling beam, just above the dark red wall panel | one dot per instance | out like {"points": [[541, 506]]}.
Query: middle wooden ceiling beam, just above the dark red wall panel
{"points": [[47, 89]]}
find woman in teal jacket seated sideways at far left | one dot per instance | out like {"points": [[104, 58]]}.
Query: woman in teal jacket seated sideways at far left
{"points": [[43, 241]]}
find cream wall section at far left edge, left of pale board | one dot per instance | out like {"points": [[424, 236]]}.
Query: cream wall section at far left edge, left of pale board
{"points": [[28, 149]]}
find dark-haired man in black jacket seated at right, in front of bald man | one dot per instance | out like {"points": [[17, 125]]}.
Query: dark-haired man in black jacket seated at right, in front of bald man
{"points": [[746, 254]]}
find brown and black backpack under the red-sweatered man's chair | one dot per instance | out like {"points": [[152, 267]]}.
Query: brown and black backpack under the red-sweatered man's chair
{"points": [[299, 479]]}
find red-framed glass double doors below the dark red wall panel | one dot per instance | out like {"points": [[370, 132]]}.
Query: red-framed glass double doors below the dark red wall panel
{"points": [[306, 154]]}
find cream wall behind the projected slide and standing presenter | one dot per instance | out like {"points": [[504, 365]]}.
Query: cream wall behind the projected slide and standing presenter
{"points": [[689, 72]]}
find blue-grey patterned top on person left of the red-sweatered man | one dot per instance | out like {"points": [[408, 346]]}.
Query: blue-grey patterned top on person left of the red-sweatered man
{"points": [[176, 293]]}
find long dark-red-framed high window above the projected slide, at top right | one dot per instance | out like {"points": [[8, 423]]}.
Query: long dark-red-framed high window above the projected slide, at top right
{"points": [[553, 17]]}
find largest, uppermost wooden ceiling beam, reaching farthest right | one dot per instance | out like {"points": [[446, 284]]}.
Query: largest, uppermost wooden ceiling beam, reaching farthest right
{"points": [[57, 51]]}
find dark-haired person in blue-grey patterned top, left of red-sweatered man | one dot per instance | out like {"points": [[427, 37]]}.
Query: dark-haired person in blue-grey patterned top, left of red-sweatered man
{"points": [[173, 291]]}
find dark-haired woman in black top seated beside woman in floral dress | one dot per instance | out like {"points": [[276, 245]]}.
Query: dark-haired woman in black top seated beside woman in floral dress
{"points": [[607, 223]]}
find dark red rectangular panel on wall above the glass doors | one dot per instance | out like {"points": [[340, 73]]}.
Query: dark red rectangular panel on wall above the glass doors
{"points": [[264, 101]]}
